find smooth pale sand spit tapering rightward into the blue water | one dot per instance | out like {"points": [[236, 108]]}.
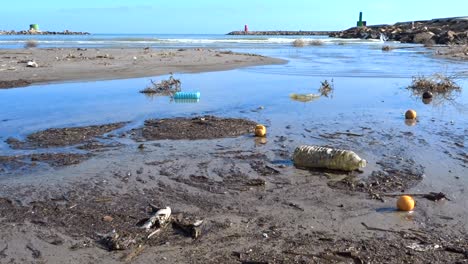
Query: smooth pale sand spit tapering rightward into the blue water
{"points": [[58, 65]]}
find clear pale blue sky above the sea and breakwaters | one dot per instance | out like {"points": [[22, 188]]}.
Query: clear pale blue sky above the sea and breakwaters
{"points": [[215, 16]]}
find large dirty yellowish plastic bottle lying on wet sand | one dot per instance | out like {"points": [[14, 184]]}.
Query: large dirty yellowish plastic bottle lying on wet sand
{"points": [[329, 158]]}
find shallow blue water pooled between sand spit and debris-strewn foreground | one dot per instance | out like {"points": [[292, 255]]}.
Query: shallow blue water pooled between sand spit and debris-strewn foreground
{"points": [[369, 93]]}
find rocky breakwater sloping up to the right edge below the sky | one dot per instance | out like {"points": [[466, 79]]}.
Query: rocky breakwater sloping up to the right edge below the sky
{"points": [[435, 31]]}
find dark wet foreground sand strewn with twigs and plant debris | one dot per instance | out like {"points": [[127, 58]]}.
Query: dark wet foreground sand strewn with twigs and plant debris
{"points": [[255, 206]]}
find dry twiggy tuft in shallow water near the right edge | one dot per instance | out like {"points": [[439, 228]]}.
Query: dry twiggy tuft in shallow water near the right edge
{"points": [[438, 84]]}
